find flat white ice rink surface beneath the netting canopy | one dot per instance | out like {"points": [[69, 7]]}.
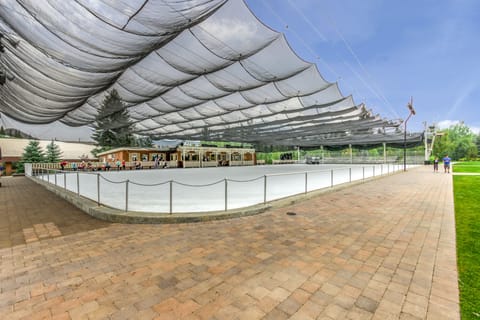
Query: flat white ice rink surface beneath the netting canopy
{"points": [[208, 189]]}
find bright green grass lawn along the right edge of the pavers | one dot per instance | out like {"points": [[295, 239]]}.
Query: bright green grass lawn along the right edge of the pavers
{"points": [[467, 218]]}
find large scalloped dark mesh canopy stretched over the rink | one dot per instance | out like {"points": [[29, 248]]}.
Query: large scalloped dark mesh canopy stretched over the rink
{"points": [[198, 69]]}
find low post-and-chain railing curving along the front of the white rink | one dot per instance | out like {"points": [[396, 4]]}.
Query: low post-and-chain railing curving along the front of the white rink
{"points": [[174, 196]]}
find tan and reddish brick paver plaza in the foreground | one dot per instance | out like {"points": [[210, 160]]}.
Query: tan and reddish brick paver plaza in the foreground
{"points": [[384, 249]]}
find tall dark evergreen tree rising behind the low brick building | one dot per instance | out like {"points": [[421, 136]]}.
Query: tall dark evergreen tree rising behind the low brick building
{"points": [[113, 128]]}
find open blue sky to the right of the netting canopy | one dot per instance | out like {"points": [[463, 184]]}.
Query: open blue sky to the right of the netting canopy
{"points": [[384, 52]]}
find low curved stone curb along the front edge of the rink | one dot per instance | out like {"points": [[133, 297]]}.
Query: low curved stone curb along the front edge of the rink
{"points": [[134, 217]]}
